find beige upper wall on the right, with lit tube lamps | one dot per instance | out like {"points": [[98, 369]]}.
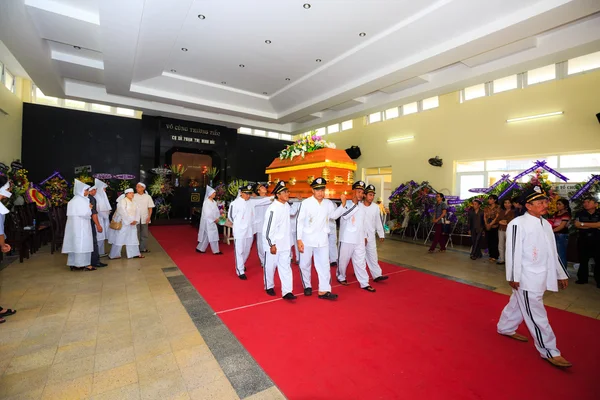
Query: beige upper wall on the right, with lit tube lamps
{"points": [[477, 130]]}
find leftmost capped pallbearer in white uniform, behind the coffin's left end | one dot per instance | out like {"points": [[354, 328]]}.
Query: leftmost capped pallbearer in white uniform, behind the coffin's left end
{"points": [[241, 213]]}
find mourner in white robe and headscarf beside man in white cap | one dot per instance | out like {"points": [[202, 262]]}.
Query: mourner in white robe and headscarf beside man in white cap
{"points": [[127, 212]]}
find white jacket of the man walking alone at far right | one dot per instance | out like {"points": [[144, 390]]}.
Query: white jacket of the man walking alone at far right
{"points": [[531, 256]]}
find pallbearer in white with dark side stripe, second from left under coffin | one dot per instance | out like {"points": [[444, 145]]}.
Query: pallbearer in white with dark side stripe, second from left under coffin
{"points": [[276, 234]]}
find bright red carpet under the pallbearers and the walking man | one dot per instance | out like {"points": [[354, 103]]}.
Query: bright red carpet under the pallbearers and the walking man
{"points": [[419, 337]]}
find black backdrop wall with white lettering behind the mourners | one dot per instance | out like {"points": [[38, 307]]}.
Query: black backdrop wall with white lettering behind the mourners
{"points": [[58, 139]]}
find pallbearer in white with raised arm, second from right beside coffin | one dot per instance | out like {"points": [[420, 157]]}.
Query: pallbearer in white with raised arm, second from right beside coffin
{"points": [[353, 237]]}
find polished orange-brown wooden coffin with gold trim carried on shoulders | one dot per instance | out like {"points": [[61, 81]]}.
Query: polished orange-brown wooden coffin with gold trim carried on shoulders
{"points": [[332, 164]]}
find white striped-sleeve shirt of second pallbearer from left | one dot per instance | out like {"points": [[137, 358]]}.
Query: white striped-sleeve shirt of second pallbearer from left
{"points": [[276, 227]]}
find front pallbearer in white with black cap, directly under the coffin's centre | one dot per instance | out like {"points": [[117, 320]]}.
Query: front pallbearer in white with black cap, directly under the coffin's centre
{"points": [[312, 239]]}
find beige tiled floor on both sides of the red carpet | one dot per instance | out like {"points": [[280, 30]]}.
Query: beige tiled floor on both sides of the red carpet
{"points": [[123, 332]]}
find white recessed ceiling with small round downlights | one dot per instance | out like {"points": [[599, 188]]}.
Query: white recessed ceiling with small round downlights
{"points": [[130, 52]]}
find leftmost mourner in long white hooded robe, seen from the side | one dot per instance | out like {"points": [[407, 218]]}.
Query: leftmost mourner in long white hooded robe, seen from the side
{"points": [[78, 241]]}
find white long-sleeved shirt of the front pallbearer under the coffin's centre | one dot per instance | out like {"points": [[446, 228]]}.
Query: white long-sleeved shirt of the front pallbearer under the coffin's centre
{"points": [[313, 222]]}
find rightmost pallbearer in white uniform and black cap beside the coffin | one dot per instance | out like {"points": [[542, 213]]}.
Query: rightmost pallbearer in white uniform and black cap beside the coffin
{"points": [[373, 226]]}
